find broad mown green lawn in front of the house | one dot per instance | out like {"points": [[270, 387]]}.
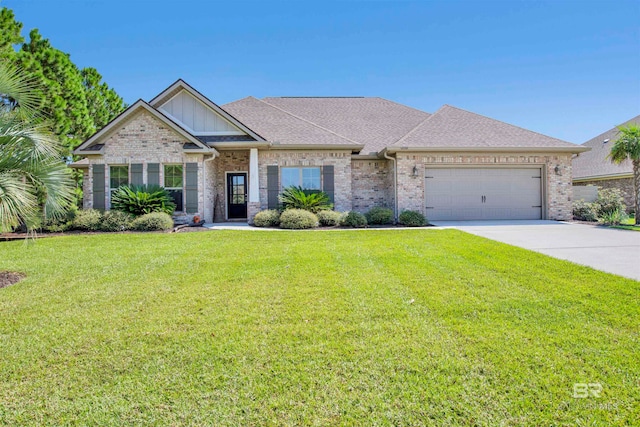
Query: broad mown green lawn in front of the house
{"points": [[417, 327]]}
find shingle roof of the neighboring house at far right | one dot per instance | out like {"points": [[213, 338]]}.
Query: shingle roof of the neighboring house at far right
{"points": [[595, 163]]}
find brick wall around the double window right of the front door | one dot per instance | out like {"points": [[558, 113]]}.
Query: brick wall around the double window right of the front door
{"points": [[270, 161]]}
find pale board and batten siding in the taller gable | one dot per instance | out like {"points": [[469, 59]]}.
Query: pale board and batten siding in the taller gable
{"points": [[197, 117]]}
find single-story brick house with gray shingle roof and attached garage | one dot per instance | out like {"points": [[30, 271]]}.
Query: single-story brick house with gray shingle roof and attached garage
{"points": [[229, 162]]}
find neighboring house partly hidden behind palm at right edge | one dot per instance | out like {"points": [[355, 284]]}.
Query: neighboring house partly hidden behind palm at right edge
{"points": [[595, 168]]}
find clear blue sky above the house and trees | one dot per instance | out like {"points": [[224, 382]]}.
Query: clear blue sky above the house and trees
{"points": [[569, 69]]}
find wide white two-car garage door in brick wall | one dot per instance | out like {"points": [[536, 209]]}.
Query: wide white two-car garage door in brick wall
{"points": [[459, 194]]}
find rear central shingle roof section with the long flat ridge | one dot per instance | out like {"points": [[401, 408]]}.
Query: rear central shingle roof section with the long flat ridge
{"points": [[373, 122]]}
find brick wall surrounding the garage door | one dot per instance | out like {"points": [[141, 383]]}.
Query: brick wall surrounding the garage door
{"points": [[558, 186]]}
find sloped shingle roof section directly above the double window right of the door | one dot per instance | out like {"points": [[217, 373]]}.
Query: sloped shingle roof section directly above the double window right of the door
{"points": [[282, 127]]}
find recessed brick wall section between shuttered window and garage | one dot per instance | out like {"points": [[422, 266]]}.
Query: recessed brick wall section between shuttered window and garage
{"points": [[372, 184]]}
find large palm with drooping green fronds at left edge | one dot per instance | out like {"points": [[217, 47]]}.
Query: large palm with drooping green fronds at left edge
{"points": [[35, 183]]}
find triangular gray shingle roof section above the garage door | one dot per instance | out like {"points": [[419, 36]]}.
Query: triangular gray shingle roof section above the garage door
{"points": [[453, 127]]}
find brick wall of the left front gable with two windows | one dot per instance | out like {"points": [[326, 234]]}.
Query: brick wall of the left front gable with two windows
{"points": [[145, 141]]}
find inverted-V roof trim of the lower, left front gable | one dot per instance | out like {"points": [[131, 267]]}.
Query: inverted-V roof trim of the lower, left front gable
{"points": [[93, 144]]}
